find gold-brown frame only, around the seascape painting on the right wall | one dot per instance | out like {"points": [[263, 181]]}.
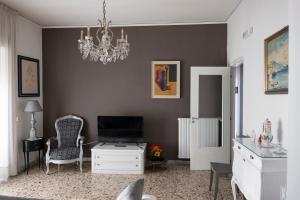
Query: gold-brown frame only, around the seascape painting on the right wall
{"points": [[271, 38]]}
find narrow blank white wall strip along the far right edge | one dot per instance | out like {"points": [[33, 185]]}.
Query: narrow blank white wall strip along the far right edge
{"points": [[293, 180]]}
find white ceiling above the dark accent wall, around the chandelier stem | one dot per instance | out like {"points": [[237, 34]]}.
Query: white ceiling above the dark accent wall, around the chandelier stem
{"points": [[49, 13]]}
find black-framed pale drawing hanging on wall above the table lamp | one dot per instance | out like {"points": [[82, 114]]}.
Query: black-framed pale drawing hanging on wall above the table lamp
{"points": [[28, 77]]}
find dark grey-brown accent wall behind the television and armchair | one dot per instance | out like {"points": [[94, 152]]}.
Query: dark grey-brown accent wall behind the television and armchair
{"points": [[88, 89]]}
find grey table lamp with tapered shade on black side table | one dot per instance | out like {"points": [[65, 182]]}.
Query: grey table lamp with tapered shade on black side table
{"points": [[33, 106]]}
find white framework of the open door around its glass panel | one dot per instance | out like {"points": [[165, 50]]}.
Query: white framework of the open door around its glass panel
{"points": [[201, 158]]}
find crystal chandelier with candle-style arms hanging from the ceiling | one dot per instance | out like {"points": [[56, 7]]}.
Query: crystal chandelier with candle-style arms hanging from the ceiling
{"points": [[104, 49]]}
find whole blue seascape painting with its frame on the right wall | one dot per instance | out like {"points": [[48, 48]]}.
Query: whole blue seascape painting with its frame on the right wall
{"points": [[276, 62]]}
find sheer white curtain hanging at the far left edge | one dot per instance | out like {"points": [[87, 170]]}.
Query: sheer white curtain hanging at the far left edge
{"points": [[8, 140]]}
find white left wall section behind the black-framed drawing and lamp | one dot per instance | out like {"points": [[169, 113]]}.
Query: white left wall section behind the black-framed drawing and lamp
{"points": [[28, 43]]}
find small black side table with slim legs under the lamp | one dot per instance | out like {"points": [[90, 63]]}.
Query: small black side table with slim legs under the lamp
{"points": [[32, 145]]}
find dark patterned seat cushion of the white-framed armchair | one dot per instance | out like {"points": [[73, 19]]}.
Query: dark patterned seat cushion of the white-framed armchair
{"points": [[67, 153]]}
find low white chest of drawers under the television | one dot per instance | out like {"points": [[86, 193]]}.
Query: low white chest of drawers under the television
{"points": [[119, 158]]}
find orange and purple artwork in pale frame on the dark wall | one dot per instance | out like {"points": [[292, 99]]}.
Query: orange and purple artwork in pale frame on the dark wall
{"points": [[165, 81]]}
